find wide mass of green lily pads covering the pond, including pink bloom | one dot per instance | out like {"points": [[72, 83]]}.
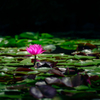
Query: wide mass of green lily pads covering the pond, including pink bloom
{"points": [[49, 75]]}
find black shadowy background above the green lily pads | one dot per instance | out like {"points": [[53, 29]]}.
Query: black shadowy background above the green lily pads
{"points": [[75, 16]]}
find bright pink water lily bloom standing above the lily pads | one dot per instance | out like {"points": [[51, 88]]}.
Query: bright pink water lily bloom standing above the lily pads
{"points": [[35, 49]]}
